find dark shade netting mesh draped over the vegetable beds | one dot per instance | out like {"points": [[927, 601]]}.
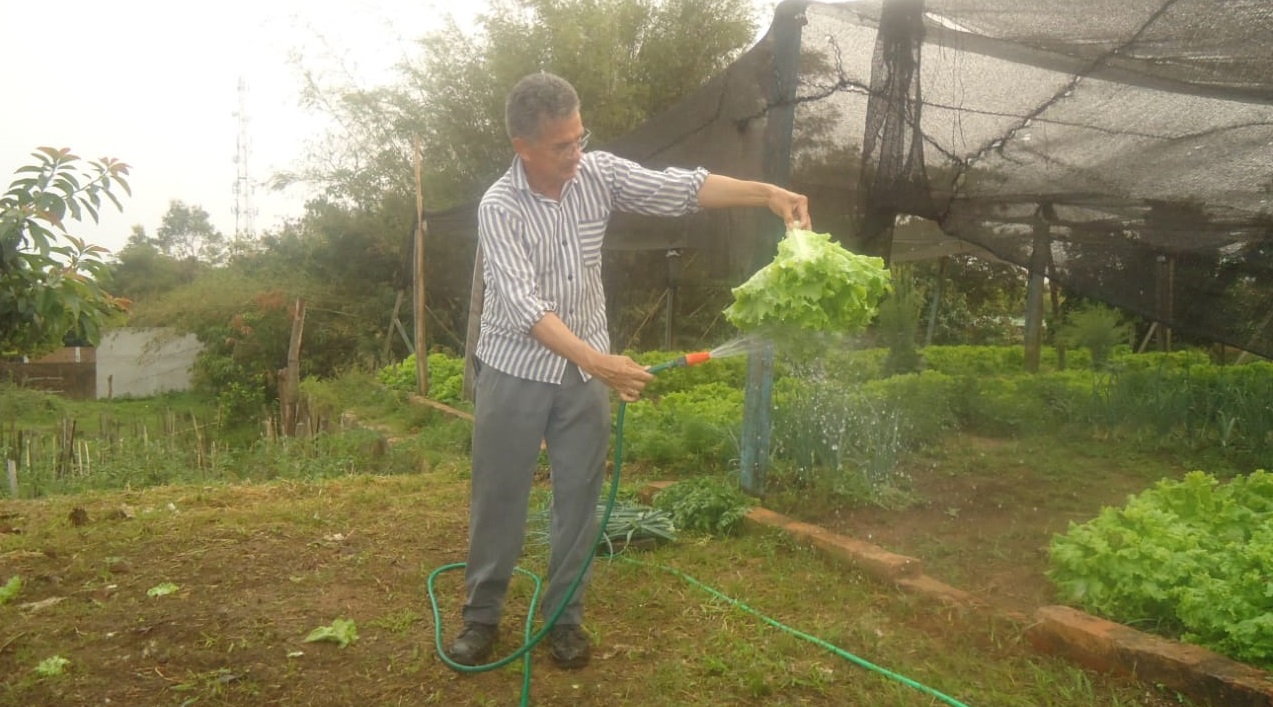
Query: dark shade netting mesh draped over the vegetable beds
{"points": [[1131, 142]]}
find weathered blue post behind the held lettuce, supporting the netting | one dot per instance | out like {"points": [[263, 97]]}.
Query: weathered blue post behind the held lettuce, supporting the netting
{"points": [[781, 120]]}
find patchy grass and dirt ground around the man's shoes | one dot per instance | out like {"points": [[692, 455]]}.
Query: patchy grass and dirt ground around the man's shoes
{"points": [[260, 565]]}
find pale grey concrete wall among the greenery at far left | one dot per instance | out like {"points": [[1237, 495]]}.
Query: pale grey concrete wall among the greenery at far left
{"points": [[143, 362]]}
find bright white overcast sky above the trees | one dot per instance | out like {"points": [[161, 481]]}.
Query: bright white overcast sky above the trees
{"points": [[156, 85]]}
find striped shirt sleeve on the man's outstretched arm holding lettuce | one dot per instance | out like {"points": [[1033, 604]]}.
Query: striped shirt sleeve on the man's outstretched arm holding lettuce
{"points": [[654, 193]]}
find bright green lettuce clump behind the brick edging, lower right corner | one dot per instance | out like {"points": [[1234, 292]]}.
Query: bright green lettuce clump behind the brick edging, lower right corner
{"points": [[1192, 555]]}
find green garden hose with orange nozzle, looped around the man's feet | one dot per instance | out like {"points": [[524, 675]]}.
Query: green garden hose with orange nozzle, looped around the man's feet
{"points": [[534, 638]]}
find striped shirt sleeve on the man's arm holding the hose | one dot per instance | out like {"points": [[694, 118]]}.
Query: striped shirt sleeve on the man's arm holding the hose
{"points": [[510, 272]]}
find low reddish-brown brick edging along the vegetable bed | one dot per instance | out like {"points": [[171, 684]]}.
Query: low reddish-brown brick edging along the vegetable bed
{"points": [[1062, 631]]}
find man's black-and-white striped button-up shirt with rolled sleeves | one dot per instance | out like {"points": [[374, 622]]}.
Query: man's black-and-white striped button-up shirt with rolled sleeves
{"points": [[545, 257]]}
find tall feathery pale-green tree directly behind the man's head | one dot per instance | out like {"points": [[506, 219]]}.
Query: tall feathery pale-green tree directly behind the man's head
{"points": [[628, 59]]}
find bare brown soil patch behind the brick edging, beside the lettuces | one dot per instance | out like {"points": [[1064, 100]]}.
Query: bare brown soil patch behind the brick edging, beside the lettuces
{"points": [[986, 527]]}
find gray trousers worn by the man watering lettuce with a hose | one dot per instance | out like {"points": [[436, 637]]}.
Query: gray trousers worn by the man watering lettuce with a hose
{"points": [[514, 416]]}
